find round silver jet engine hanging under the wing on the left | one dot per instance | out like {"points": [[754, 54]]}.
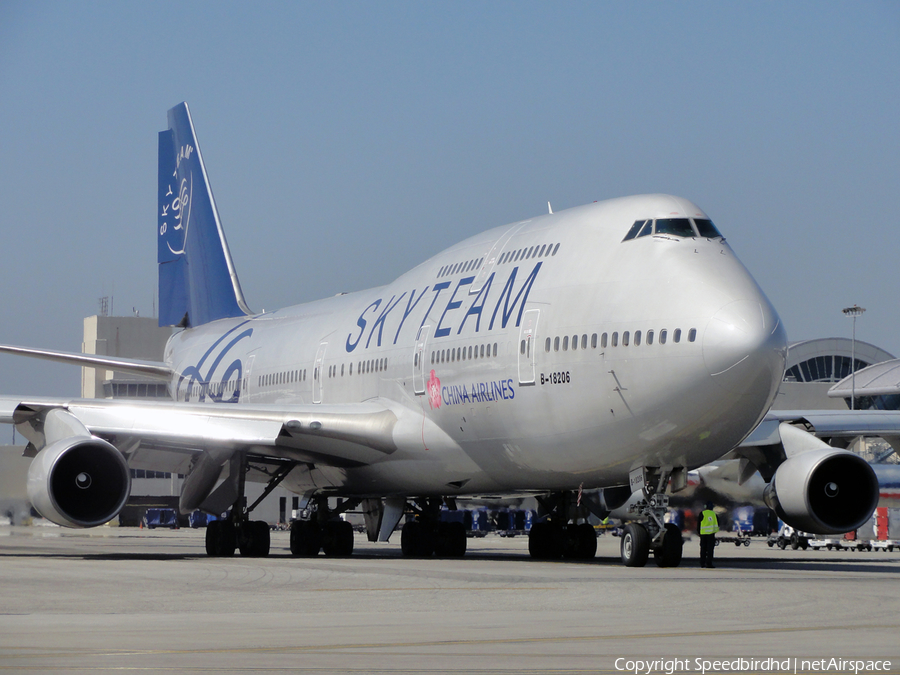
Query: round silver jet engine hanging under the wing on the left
{"points": [[81, 481]]}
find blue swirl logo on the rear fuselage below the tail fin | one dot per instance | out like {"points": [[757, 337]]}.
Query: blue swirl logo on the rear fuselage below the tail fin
{"points": [[193, 384]]}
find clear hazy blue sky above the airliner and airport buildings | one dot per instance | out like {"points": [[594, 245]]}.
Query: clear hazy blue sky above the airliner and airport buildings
{"points": [[346, 142]]}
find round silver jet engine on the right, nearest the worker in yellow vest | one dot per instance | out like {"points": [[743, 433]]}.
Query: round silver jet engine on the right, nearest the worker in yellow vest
{"points": [[824, 491]]}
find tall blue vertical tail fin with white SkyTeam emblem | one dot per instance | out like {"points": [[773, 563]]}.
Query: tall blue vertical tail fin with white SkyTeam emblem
{"points": [[197, 280]]}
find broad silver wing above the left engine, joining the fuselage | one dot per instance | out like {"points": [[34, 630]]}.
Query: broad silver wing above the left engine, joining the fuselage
{"points": [[335, 435]]}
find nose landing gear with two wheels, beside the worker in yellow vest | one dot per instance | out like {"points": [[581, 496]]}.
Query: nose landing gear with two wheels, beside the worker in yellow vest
{"points": [[652, 534]]}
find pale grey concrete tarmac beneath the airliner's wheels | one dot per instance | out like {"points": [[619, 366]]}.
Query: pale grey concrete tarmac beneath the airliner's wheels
{"points": [[114, 599]]}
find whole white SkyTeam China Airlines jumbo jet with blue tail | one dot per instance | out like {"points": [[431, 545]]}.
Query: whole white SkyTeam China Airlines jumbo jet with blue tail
{"points": [[616, 345]]}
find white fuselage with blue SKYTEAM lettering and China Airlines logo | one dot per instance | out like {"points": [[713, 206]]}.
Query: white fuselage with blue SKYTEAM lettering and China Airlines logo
{"points": [[529, 357]]}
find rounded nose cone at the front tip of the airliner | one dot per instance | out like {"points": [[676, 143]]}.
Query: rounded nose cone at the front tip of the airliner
{"points": [[744, 348]]}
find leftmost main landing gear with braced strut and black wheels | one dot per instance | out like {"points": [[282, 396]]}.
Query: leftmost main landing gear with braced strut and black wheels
{"points": [[250, 537]]}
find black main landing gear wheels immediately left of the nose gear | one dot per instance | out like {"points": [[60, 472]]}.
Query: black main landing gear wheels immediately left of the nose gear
{"points": [[564, 532]]}
